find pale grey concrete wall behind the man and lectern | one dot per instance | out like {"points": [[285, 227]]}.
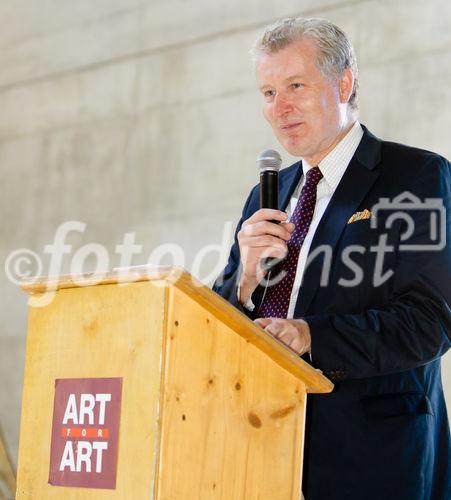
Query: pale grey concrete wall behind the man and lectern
{"points": [[143, 117]]}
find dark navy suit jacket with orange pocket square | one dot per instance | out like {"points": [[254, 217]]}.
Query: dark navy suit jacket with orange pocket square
{"points": [[383, 433]]}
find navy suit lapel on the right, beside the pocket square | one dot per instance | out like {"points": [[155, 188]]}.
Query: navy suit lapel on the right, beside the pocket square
{"points": [[360, 175]]}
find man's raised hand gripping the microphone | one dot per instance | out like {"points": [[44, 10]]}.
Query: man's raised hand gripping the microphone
{"points": [[259, 238]]}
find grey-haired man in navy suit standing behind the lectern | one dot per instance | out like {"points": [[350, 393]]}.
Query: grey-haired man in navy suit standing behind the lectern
{"points": [[364, 285]]}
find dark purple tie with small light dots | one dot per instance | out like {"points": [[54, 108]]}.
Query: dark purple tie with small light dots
{"points": [[277, 298]]}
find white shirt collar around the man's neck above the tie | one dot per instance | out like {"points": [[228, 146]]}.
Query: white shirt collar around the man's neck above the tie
{"points": [[334, 164]]}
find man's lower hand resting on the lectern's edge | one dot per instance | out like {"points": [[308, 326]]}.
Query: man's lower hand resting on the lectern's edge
{"points": [[295, 333]]}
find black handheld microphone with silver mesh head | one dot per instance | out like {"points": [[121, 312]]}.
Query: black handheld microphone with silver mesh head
{"points": [[269, 162]]}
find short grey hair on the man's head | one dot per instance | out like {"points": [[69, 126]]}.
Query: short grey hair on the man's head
{"points": [[335, 52]]}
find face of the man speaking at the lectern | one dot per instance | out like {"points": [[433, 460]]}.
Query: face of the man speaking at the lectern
{"points": [[306, 110]]}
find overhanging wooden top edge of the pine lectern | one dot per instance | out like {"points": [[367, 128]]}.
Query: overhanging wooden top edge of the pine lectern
{"points": [[313, 378]]}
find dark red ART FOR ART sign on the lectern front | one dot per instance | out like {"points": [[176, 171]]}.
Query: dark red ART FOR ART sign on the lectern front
{"points": [[85, 432]]}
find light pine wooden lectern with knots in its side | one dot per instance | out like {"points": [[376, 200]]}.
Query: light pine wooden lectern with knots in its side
{"points": [[212, 406]]}
